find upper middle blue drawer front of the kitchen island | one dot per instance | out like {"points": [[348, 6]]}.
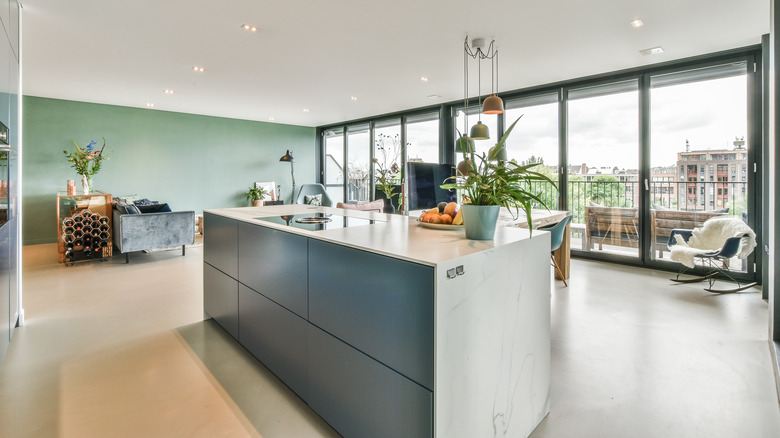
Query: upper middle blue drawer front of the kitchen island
{"points": [[274, 263]]}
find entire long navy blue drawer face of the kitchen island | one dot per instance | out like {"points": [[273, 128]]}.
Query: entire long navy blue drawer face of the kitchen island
{"points": [[350, 332]]}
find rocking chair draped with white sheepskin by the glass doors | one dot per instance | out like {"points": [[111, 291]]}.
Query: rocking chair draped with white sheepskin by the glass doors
{"points": [[712, 246]]}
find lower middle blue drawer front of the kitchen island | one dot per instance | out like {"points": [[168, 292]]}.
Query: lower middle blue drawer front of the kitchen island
{"points": [[274, 335]]}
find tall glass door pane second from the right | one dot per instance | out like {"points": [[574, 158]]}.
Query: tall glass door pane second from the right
{"points": [[603, 174]]}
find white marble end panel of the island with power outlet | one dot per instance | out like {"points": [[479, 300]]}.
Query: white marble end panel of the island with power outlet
{"points": [[493, 342]]}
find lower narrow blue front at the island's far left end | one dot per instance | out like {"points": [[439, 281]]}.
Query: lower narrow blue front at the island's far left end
{"points": [[220, 298]]}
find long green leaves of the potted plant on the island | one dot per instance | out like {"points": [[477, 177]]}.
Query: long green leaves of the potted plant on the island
{"points": [[485, 179]]}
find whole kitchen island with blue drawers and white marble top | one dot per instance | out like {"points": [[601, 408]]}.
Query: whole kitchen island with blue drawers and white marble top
{"points": [[385, 328]]}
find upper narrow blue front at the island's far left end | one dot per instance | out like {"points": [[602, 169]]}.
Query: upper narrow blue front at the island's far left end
{"points": [[220, 243]]}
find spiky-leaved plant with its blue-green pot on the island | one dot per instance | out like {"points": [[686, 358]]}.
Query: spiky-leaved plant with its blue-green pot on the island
{"points": [[489, 182]]}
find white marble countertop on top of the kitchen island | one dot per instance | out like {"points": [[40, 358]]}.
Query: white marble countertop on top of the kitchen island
{"points": [[392, 235]]}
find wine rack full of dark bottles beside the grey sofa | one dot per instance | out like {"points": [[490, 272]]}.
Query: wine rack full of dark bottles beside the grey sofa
{"points": [[84, 230]]}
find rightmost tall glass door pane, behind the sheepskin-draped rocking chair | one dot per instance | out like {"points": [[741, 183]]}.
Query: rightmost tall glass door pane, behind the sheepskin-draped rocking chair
{"points": [[699, 152]]}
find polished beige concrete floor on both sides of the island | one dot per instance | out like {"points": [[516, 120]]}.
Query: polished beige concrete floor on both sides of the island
{"points": [[116, 350]]}
